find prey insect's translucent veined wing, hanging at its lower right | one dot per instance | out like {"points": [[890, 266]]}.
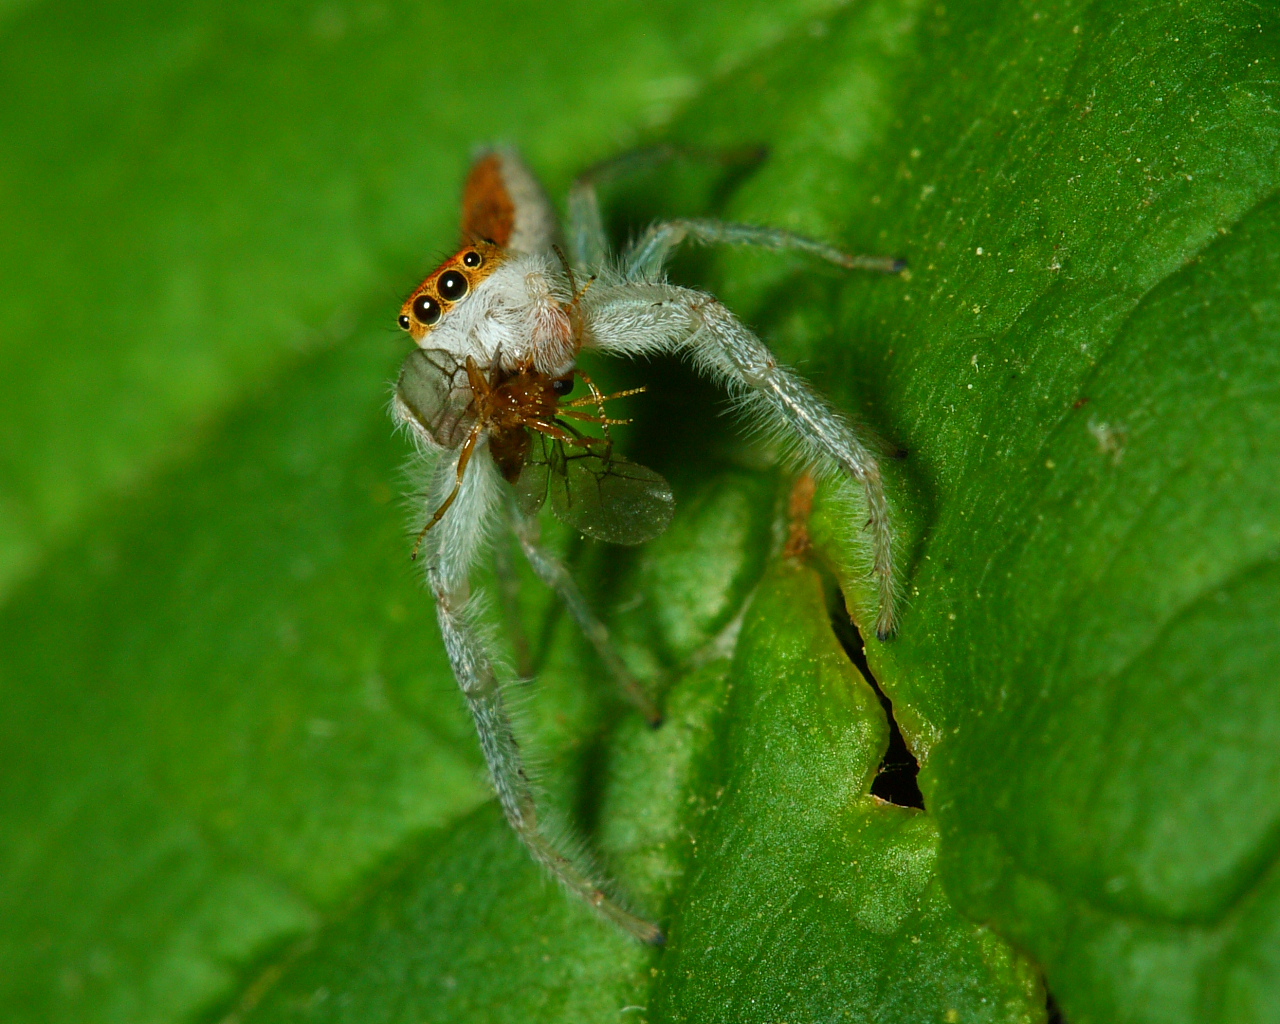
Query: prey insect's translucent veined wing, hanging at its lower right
{"points": [[609, 497]]}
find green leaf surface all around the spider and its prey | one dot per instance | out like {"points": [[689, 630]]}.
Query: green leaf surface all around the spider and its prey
{"points": [[236, 779]]}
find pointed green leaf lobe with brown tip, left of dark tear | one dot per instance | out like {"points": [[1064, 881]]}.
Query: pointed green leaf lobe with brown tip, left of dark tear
{"points": [[808, 898]]}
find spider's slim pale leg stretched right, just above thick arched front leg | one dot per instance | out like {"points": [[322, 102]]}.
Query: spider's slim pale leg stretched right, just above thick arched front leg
{"points": [[646, 258]]}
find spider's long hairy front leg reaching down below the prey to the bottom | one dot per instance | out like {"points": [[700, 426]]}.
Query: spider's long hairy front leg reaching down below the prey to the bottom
{"points": [[451, 551]]}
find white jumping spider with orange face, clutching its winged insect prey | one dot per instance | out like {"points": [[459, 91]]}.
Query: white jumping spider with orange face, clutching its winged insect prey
{"points": [[490, 395]]}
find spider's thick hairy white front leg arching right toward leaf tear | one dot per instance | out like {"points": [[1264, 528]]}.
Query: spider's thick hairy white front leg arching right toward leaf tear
{"points": [[647, 318]]}
